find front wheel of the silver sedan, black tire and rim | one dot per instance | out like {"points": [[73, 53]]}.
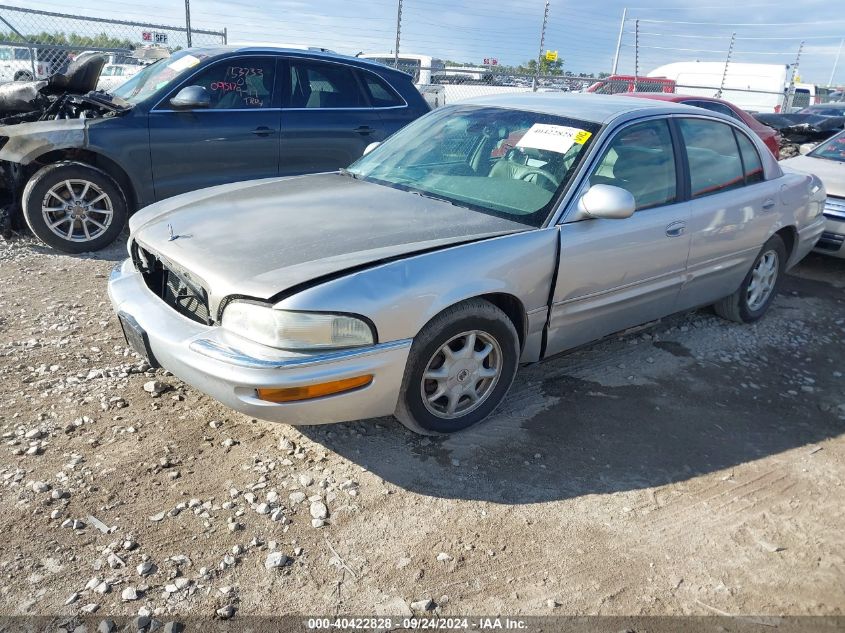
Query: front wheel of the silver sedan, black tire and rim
{"points": [[459, 369]]}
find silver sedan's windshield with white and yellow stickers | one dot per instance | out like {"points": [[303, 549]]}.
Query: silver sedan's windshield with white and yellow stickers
{"points": [[509, 163]]}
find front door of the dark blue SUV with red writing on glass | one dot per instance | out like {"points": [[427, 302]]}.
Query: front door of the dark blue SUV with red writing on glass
{"points": [[235, 138]]}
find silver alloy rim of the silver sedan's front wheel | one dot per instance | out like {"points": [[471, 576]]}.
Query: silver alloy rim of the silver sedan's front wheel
{"points": [[461, 375]]}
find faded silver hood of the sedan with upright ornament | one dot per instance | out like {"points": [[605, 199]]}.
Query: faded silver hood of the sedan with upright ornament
{"points": [[262, 237]]}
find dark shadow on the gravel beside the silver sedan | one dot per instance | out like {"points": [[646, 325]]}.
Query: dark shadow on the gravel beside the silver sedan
{"points": [[557, 436]]}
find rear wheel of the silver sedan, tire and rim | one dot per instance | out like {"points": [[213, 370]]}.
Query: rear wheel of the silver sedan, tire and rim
{"points": [[753, 298]]}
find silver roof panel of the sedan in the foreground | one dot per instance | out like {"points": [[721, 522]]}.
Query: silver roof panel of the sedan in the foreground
{"points": [[585, 106]]}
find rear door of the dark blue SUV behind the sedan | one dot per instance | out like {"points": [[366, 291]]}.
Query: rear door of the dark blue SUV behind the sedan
{"points": [[327, 117]]}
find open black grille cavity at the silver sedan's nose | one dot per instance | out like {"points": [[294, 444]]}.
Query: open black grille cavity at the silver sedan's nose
{"points": [[186, 297]]}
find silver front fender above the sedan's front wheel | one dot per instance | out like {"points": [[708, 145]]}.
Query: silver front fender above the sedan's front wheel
{"points": [[400, 297]]}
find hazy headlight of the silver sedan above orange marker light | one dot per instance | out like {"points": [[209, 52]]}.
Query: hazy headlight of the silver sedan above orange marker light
{"points": [[295, 330]]}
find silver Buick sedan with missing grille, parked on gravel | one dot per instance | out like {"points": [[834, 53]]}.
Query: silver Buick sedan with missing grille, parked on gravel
{"points": [[482, 236]]}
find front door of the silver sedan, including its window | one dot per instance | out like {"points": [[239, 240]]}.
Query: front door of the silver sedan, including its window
{"points": [[615, 274]]}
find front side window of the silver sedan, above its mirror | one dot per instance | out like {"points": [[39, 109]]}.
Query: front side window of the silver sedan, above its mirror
{"points": [[641, 159]]}
